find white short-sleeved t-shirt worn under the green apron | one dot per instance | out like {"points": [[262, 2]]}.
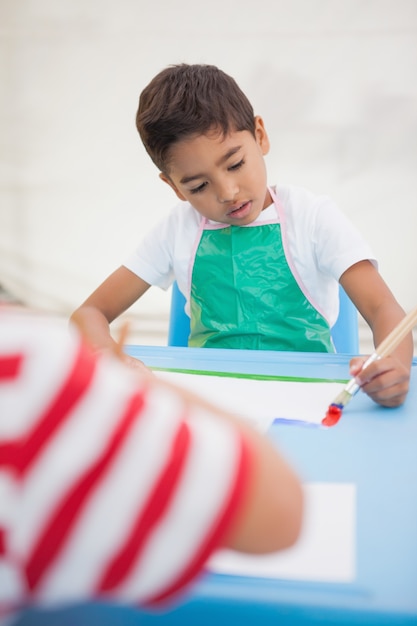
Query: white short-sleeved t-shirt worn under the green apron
{"points": [[320, 244]]}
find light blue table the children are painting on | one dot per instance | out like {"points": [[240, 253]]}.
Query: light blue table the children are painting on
{"points": [[374, 448]]}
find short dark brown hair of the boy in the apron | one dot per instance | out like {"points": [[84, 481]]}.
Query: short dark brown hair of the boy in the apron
{"points": [[185, 100]]}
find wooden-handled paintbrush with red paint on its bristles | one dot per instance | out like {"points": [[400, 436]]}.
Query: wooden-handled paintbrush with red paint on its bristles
{"points": [[334, 412]]}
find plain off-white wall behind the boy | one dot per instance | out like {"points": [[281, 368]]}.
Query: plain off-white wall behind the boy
{"points": [[335, 81]]}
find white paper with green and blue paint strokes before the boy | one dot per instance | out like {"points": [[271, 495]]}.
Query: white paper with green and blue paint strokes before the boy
{"points": [[261, 401]]}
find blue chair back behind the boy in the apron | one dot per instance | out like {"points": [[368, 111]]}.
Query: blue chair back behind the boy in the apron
{"points": [[345, 332]]}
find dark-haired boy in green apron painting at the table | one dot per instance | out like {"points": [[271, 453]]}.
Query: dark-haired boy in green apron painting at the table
{"points": [[259, 265]]}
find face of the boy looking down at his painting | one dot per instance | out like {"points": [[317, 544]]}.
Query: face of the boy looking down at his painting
{"points": [[223, 177]]}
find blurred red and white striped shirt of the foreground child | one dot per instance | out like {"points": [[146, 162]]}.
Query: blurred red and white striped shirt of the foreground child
{"points": [[113, 488]]}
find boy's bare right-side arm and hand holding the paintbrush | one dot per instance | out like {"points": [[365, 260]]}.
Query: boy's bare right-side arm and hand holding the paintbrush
{"points": [[386, 381]]}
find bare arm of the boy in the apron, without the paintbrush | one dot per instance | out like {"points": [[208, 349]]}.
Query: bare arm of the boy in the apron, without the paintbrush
{"points": [[114, 296]]}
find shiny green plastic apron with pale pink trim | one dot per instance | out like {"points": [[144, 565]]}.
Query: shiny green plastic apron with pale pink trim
{"points": [[244, 294]]}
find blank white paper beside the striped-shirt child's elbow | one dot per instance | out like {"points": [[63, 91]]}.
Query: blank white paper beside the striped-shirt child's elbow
{"points": [[325, 551]]}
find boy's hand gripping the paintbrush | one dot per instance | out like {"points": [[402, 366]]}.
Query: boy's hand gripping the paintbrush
{"points": [[386, 380]]}
